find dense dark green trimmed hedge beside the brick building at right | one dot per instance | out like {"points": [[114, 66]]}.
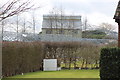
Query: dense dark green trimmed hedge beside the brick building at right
{"points": [[110, 63]]}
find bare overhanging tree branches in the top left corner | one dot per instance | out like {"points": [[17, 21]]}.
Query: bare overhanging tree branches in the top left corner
{"points": [[10, 8]]}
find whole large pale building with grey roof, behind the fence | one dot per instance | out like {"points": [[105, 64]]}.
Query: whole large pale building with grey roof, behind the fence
{"points": [[62, 25]]}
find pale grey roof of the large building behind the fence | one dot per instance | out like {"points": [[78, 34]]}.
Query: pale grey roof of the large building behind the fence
{"points": [[62, 21]]}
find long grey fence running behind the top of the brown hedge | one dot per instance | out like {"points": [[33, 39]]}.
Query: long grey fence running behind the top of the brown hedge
{"points": [[29, 37]]}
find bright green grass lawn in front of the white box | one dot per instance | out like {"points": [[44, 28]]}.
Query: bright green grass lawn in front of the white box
{"points": [[61, 74]]}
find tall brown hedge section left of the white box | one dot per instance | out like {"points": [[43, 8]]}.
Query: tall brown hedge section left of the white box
{"points": [[20, 57]]}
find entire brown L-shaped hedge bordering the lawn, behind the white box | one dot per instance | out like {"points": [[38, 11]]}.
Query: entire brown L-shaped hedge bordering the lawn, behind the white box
{"points": [[23, 57]]}
